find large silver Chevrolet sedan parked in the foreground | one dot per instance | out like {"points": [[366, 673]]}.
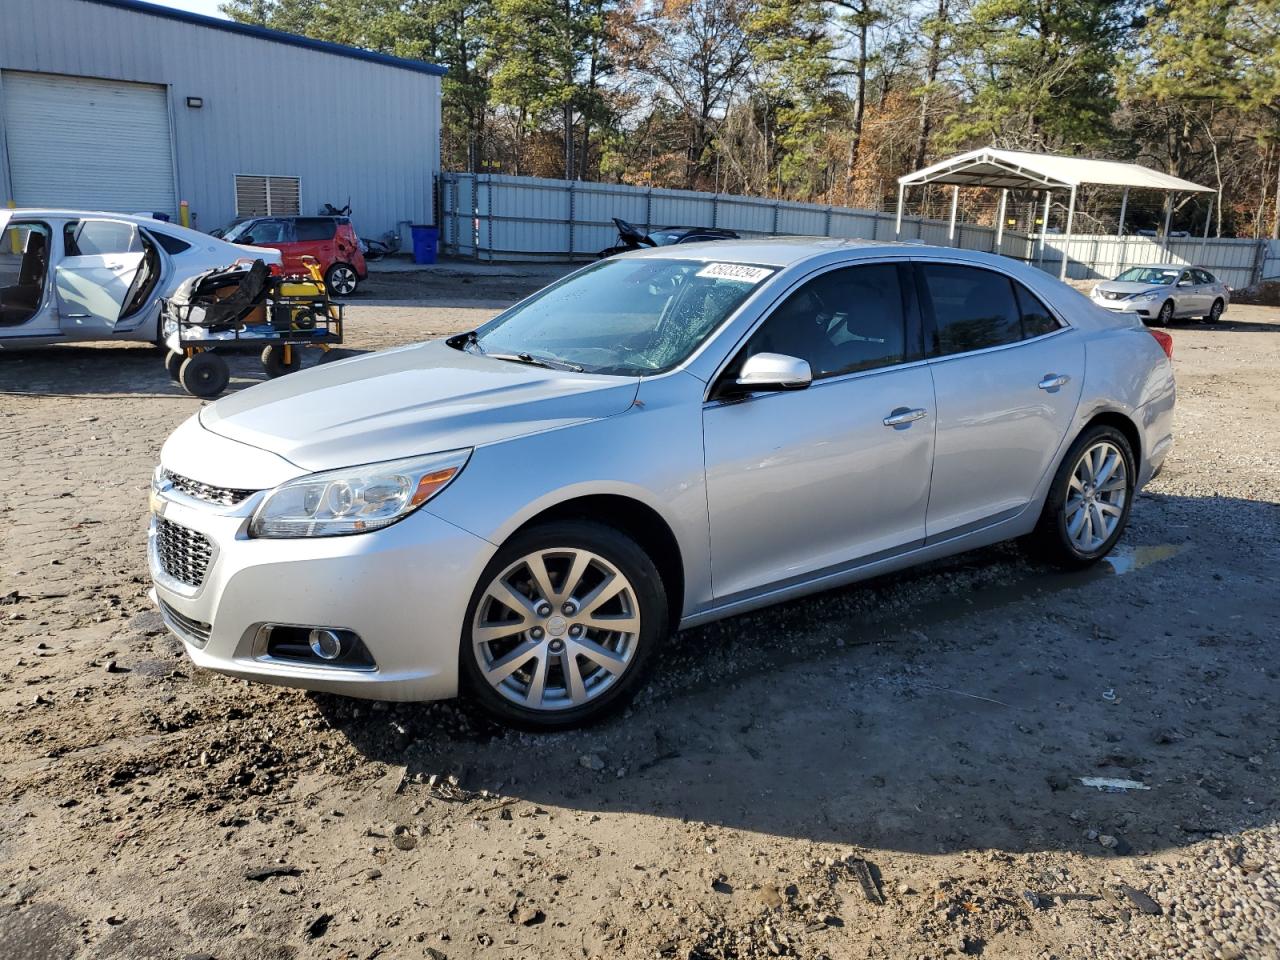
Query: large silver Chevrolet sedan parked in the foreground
{"points": [[528, 511]]}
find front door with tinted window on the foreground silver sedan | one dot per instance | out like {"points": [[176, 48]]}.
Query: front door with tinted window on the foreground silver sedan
{"points": [[815, 479]]}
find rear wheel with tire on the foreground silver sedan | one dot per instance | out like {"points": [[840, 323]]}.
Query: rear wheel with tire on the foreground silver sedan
{"points": [[1089, 505]]}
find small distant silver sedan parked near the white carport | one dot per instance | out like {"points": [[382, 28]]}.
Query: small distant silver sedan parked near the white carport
{"points": [[1162, 294]]}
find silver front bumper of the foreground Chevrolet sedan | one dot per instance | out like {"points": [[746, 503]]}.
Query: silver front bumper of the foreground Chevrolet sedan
{"points": [[404, 591]]}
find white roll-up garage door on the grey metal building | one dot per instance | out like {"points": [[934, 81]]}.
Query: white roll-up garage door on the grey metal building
{"points": [[89, 144]]}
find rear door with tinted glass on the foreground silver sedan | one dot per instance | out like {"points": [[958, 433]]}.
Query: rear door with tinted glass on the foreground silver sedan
{"points": [[1008, 377]]}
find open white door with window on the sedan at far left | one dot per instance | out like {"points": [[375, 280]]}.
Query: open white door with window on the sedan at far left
{"points": [[102, 260]]}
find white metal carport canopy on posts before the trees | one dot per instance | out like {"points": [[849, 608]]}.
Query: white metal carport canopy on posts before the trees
{"points": [[1013, 170]]}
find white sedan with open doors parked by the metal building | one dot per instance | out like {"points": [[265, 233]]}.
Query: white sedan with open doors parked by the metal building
{"points": [[68, 276]]}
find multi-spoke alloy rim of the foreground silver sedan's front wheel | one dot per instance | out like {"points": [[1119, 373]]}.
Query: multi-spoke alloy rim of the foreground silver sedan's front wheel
{"points": [[556, 629]]}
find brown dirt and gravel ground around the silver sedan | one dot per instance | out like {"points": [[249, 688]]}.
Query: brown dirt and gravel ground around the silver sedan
{"points": [[885, 771]]}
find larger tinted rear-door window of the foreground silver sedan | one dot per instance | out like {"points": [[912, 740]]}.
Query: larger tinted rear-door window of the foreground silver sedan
{"points": [[972, 309]]}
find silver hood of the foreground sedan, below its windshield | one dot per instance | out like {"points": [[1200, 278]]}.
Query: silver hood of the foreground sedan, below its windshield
{"points": [[414, 400]]}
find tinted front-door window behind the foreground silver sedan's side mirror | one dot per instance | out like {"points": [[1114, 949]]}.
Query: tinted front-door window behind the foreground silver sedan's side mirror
{"points": [[843, 322]]}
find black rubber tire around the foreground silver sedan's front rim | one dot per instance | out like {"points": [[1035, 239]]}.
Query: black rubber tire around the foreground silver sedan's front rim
{"points": [[651, 596]]}
